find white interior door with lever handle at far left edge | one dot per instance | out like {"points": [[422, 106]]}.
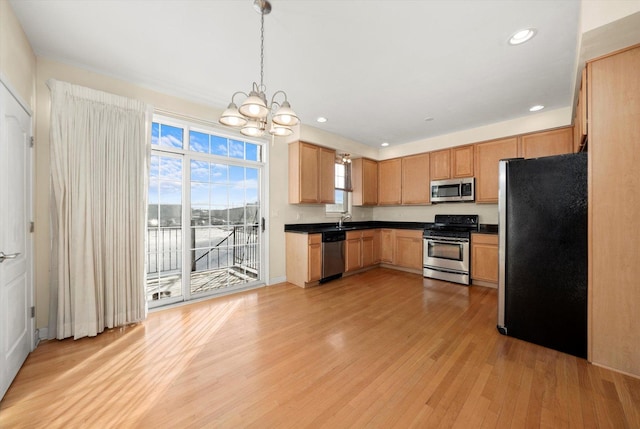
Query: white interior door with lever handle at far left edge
{"points": [[16, 333]]}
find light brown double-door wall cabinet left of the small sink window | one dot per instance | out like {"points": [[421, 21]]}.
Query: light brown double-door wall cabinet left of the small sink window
{"points": [[311, 174]]}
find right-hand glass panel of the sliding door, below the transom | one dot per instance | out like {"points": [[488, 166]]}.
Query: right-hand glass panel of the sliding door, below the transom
{"points": [[225, 208]]}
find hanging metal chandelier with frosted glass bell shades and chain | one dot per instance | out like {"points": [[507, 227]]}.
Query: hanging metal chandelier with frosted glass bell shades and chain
{"points": [[252, 117]]}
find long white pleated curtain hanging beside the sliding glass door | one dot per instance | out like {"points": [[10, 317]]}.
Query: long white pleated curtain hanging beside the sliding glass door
{"points": [[99, 152]]}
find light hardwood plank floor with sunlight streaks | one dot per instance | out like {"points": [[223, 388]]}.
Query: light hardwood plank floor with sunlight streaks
{"points": [[377, 349]]}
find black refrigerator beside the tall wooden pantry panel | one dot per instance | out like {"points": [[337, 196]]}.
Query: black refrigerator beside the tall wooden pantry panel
{"points": [[542, 287]]}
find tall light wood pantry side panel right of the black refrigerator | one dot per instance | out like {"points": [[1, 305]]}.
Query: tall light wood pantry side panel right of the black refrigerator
{"points": [[613, 116]]}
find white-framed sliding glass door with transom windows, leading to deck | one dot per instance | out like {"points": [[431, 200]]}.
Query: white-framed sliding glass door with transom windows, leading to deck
{"points": [[205, 213]]}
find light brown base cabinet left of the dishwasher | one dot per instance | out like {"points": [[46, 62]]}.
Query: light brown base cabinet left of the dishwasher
{"points": [[303, 258]]}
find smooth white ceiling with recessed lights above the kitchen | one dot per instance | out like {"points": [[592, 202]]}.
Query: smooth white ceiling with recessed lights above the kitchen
{"points": [[376, 69]]}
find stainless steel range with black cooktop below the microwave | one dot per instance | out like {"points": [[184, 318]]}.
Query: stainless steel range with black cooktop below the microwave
{"points": [[446, 248]]}
